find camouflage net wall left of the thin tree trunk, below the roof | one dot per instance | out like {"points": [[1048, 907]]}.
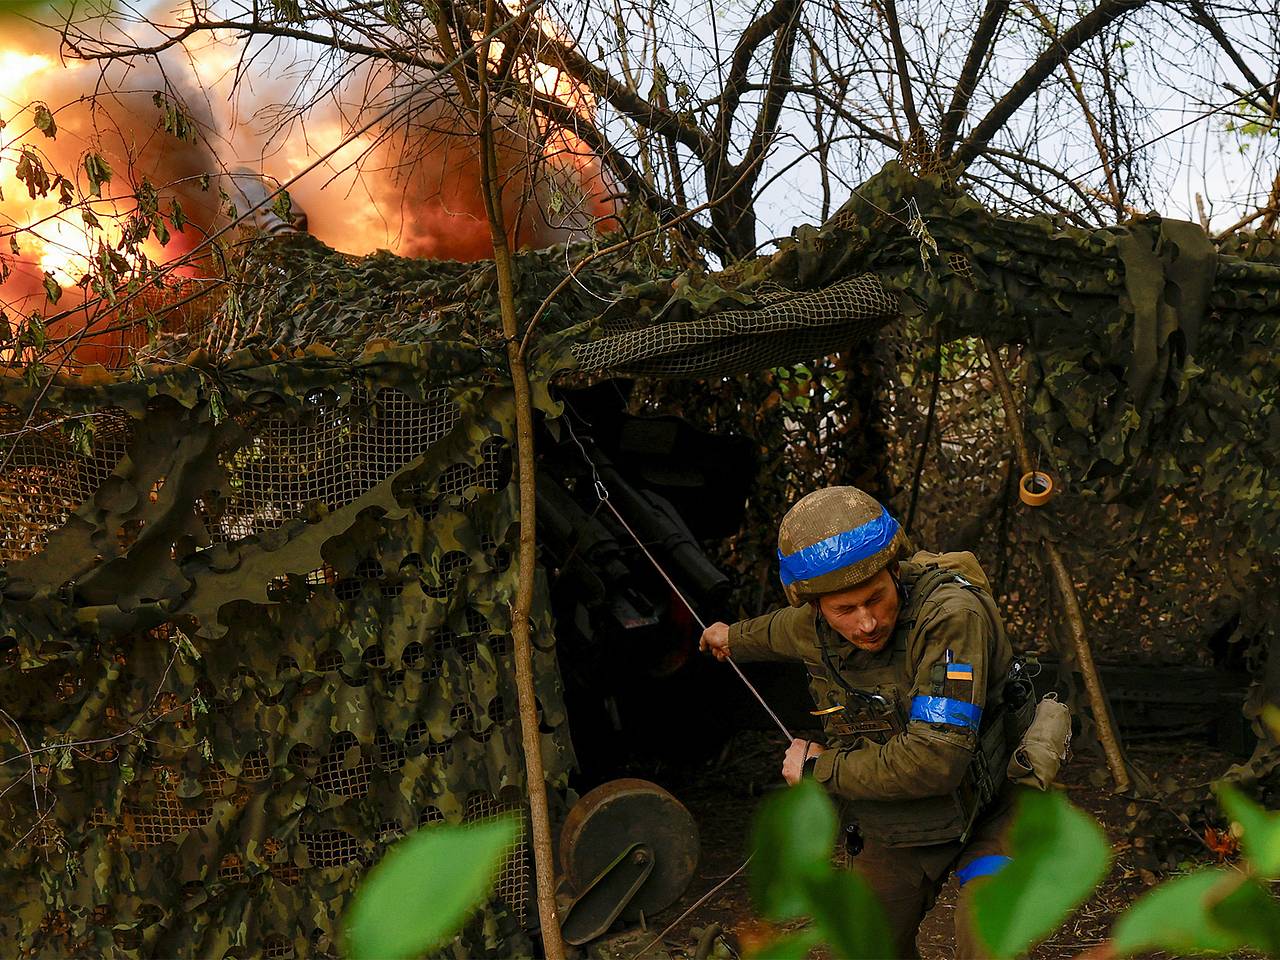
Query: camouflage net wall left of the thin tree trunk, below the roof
{"points": [[246, 652]]}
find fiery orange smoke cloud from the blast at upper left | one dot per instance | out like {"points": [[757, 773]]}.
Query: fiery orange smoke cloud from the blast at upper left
{"points": [[412, 185]]}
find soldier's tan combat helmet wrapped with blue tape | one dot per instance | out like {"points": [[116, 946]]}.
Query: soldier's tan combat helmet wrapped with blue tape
{"points": [[834, 540]]}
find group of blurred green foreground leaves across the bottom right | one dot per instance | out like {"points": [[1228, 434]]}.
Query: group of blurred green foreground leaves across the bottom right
{"points": [[1059, 856]]}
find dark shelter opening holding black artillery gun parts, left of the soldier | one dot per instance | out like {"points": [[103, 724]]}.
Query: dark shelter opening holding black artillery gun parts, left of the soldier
{"points": [[628, 647]]}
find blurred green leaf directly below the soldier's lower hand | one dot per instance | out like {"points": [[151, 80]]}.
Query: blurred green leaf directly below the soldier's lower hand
{"points": [[792, 842]]}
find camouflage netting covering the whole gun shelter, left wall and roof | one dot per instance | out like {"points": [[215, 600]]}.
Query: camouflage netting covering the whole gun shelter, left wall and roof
{"points": [[255, 614]]}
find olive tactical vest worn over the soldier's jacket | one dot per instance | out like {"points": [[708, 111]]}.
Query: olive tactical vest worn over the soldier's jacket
{"points": [[874, 703]]}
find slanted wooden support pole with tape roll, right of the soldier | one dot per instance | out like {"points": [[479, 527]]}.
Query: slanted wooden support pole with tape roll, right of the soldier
{"points": [[1067, 591]]}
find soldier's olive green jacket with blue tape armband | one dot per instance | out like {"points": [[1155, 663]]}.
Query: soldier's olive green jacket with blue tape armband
{"points": [[954, 633]]}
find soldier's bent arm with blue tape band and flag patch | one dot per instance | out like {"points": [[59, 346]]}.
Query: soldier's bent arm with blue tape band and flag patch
{"points": [[931, 756]]}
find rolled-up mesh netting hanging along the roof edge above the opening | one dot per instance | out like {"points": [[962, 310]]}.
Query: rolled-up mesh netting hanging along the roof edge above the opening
{"points": [[789, 327]]}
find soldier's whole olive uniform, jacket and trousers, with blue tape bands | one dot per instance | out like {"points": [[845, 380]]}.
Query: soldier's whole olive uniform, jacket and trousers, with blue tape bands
{"points": [[909, 733]]}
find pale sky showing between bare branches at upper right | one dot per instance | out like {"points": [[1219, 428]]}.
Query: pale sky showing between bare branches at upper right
{"points": [[1173, 77]]}
